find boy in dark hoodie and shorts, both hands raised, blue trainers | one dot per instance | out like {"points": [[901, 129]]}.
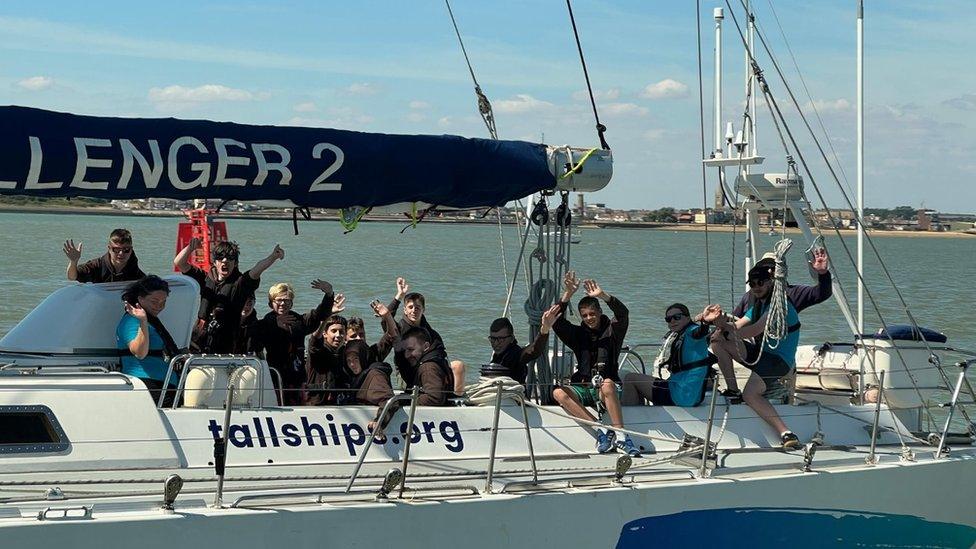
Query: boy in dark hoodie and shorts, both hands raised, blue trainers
{"points": [[596, 342]]}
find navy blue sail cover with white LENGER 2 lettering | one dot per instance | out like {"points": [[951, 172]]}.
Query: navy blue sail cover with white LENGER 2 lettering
{"points": [[50, 154]]}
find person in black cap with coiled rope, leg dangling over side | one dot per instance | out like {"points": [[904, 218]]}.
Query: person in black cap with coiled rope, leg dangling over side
{"points": [[769, 362]]}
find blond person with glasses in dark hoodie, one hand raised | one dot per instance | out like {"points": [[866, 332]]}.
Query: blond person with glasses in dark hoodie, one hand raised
{"points": [[281, 335]]}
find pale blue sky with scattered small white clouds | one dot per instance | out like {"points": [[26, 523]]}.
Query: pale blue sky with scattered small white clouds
{"points": [[396, 67]]}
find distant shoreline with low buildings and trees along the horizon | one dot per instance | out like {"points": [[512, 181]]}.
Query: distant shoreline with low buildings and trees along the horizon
{"points": [[590, 224]]}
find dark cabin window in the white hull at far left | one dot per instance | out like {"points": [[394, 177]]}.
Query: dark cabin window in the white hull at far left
{"points": [[30, 429]]}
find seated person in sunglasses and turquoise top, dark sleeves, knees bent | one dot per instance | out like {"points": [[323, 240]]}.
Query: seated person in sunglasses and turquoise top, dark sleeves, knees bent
{"points": [[686, 355]]}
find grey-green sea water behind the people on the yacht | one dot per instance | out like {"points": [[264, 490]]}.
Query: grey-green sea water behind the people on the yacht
{"points": [[459, 268]]}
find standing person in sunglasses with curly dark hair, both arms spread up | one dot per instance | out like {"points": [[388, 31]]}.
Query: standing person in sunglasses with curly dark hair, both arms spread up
{"points": [[223, 292]]}
